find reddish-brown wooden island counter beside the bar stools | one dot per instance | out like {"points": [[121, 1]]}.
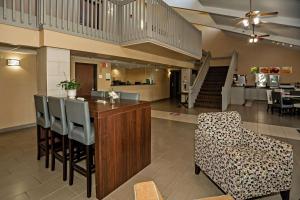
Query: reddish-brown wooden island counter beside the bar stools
{"points": [[122, 141]]}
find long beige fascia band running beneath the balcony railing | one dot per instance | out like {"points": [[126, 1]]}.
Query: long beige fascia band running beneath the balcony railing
{"points": [[34, 38]]}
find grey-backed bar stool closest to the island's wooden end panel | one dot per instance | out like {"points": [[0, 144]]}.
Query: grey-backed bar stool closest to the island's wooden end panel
{"points": [[81, 134]]}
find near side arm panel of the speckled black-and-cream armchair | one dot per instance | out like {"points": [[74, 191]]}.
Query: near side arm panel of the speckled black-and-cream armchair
{"points": [[255, 172]]}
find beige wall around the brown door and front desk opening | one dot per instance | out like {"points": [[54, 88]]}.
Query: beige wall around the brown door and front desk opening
{"points": [[160, 90]]}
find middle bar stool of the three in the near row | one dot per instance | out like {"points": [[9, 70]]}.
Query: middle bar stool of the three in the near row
{"points": [[59, 130]]}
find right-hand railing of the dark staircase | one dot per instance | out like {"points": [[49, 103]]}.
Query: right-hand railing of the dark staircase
{"points": [[226, 89]]}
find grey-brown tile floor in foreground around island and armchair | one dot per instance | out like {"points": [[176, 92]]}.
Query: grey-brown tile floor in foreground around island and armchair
{"points": [[172, 168]]}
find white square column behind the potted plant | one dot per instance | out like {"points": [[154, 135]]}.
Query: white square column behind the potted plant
{"points": [[53, 66]]}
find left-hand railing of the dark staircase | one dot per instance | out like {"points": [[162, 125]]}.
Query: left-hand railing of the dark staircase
{"points": [[195, 88]]}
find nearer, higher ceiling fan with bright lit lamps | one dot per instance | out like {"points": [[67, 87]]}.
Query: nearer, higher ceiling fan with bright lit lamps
{"points": [[253, 17]]}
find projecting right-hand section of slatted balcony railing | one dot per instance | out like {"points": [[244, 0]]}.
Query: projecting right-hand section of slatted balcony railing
{"points": [[155, 21]]}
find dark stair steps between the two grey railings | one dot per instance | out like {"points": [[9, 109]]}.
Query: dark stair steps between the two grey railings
{"points": [[210, 93]]}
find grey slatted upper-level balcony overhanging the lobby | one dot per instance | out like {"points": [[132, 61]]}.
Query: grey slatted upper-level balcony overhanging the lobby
{"points": [[147, 25]]}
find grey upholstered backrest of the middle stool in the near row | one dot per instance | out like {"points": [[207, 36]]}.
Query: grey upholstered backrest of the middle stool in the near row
{"points": [[58, 120]]}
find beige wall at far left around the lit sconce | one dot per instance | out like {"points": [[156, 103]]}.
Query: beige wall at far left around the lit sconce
{"points": [[17, 86]]}
